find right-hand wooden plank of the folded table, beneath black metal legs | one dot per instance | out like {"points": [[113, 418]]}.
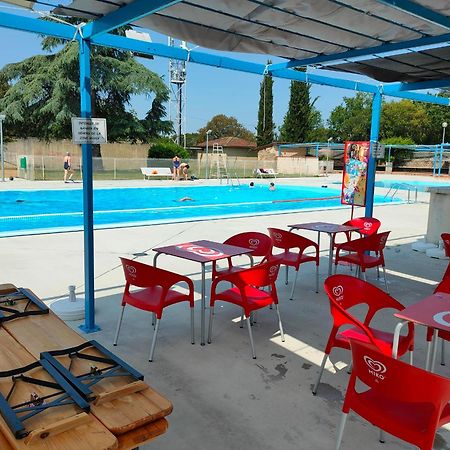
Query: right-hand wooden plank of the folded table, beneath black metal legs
{"points": [[48, 332]]}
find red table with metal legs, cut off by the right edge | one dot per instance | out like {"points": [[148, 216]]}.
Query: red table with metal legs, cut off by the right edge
{"points": [[432, 311]]}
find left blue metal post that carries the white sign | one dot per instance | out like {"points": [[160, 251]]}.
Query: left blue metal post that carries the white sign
{"points": [[88, 194]]}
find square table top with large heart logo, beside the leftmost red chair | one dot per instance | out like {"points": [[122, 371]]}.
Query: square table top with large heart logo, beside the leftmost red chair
{"points": [[203, 251]]}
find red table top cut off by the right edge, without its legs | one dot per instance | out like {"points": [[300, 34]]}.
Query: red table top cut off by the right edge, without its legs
{"points": [[432, 311]]}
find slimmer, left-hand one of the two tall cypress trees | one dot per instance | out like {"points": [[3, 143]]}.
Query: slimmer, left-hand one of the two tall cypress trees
{"points": [[265, 128]]}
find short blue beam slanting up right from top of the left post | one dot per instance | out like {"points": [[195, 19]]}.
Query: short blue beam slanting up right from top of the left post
{"points": [[125, 15]]}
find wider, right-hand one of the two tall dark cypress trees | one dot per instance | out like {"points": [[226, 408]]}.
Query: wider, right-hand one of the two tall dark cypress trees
{"points": [[298, 121]]}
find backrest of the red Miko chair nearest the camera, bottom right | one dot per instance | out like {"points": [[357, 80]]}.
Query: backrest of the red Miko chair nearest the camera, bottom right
{"points": [[398, 381]]}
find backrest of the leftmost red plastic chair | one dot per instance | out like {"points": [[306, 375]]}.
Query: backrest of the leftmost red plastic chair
{"points": [[142, 275]]}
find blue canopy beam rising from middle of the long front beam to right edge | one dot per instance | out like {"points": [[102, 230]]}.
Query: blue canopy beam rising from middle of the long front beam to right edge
{"points": [[365, 54]]}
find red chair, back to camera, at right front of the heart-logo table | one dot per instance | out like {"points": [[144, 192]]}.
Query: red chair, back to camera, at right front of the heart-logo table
{"points": [[248, 294]]}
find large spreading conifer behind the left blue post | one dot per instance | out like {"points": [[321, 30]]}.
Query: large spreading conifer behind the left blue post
{"points": [[44, 93]]}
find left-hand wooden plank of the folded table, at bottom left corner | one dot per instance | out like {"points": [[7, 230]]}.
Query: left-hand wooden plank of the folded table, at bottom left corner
{"points": [[91, 432]]}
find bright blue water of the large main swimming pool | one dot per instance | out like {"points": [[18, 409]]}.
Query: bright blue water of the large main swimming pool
{"points": [[27, 212]]}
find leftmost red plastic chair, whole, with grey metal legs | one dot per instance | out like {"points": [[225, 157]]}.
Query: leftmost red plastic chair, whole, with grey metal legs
{"points": [[155, 295]]}
